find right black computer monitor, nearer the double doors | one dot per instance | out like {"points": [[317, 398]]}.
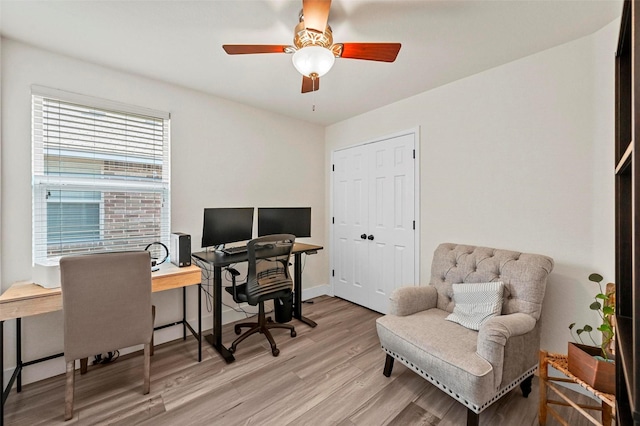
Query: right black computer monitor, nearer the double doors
{"points": [[284, 220]]}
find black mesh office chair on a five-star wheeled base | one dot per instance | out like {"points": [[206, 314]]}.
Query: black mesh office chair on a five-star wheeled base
{"points": [[267, 278]]}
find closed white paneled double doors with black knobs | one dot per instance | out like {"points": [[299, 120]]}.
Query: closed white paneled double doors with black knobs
{"points": [[374, 214]]}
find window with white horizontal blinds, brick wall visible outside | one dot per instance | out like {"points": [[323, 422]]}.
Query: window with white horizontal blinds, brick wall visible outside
{"points": [[100, 175]]}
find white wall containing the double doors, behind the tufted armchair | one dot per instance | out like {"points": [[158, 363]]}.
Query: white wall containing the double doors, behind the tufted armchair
{"points": [[518, 157]]}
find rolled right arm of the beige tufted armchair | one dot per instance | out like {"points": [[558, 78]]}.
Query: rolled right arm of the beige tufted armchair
{"points": [[494, 334]]}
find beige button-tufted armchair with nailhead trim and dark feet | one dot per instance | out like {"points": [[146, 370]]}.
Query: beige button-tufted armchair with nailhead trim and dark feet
{"points": [[474, 367]]}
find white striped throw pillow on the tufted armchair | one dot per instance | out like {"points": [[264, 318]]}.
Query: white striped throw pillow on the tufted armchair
{"points": [[476, 303]]}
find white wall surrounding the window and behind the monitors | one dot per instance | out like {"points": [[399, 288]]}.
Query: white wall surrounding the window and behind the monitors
{"points": [[223, 154]]}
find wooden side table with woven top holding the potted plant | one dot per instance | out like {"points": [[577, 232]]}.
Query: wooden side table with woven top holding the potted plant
{"points": [[559, 362]]}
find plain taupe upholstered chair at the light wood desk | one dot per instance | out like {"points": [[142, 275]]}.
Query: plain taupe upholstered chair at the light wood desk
{"points": [[107, 305]]}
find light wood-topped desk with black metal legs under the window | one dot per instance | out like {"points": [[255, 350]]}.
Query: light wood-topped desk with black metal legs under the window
{"points": [[25, 299]]}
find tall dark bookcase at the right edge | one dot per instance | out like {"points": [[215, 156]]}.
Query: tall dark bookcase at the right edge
{"points": [[627, 216]]}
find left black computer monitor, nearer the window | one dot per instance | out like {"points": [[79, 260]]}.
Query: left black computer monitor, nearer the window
{"points": [[226, 225]]}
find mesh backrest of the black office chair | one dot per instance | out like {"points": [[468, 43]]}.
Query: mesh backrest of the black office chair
{"points": [[268, 270]]}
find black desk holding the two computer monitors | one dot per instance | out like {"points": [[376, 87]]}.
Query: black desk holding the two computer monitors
{"points": [[219, 260]]}
